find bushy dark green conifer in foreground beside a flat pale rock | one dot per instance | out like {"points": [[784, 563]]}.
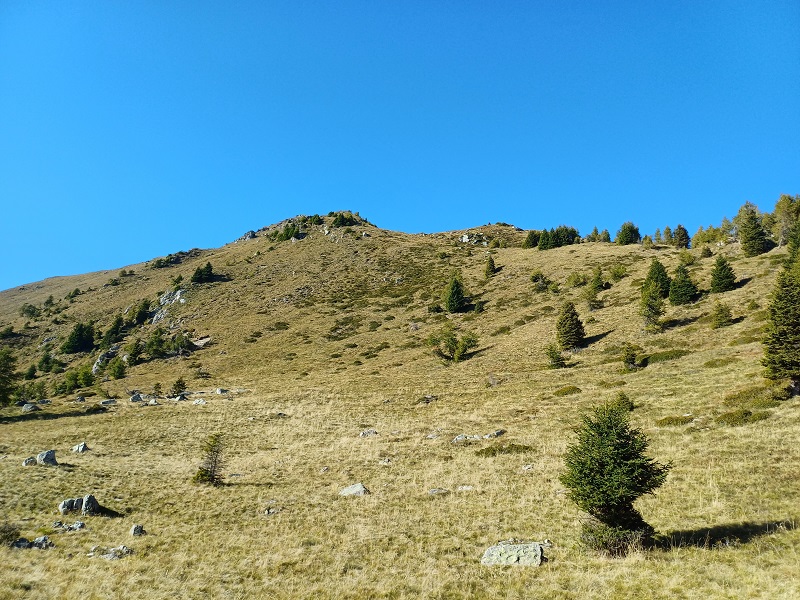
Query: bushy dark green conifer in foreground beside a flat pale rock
{"points": [[607, 469]]}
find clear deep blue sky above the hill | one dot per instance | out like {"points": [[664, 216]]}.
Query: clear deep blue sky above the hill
{"points": [[129, 130]]}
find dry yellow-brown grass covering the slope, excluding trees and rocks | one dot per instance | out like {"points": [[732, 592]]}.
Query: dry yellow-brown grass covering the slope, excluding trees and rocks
{"points": [[321, 338]]}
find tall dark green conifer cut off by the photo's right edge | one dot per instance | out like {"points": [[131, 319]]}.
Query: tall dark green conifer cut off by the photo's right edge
{"points": [[782, 339]]}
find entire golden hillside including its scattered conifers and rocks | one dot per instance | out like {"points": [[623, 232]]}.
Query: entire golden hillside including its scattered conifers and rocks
{"points": [[625, 402]]}
